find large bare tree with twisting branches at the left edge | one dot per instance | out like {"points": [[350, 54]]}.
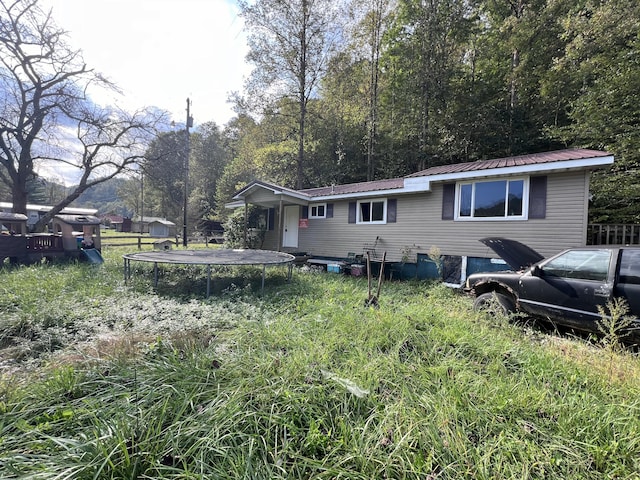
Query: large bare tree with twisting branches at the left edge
{"points": [[46, 113]]}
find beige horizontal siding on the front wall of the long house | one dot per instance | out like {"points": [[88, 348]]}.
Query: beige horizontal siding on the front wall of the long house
{"points": [[419, 226]]}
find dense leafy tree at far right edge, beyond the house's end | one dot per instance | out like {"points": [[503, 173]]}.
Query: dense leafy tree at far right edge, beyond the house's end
{"points": [[602, 64]]}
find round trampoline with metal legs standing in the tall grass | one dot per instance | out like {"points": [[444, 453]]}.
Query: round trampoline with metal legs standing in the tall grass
{"points": [[228, 257]]}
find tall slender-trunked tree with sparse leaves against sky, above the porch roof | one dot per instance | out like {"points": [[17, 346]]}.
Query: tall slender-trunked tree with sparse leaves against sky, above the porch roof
{"points": [[290, 42]]}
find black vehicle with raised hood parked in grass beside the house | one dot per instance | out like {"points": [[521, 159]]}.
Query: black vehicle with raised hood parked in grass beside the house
{"points": [[566, 288]]}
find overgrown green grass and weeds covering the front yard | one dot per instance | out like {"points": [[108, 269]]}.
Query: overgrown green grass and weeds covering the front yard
{"points": [[303, 382]]}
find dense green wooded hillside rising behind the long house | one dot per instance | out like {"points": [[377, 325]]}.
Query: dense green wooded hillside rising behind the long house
{"points": [[391, 87]]}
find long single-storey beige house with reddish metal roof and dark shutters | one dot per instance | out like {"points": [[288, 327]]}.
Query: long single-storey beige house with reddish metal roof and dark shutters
{"points": [[441, 212]]}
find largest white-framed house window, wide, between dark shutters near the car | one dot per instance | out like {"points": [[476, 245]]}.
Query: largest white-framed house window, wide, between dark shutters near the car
{"points": [[495, 199]]}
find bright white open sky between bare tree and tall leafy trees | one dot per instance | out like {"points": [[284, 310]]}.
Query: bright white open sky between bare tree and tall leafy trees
{"points": [[161, 52]]}
